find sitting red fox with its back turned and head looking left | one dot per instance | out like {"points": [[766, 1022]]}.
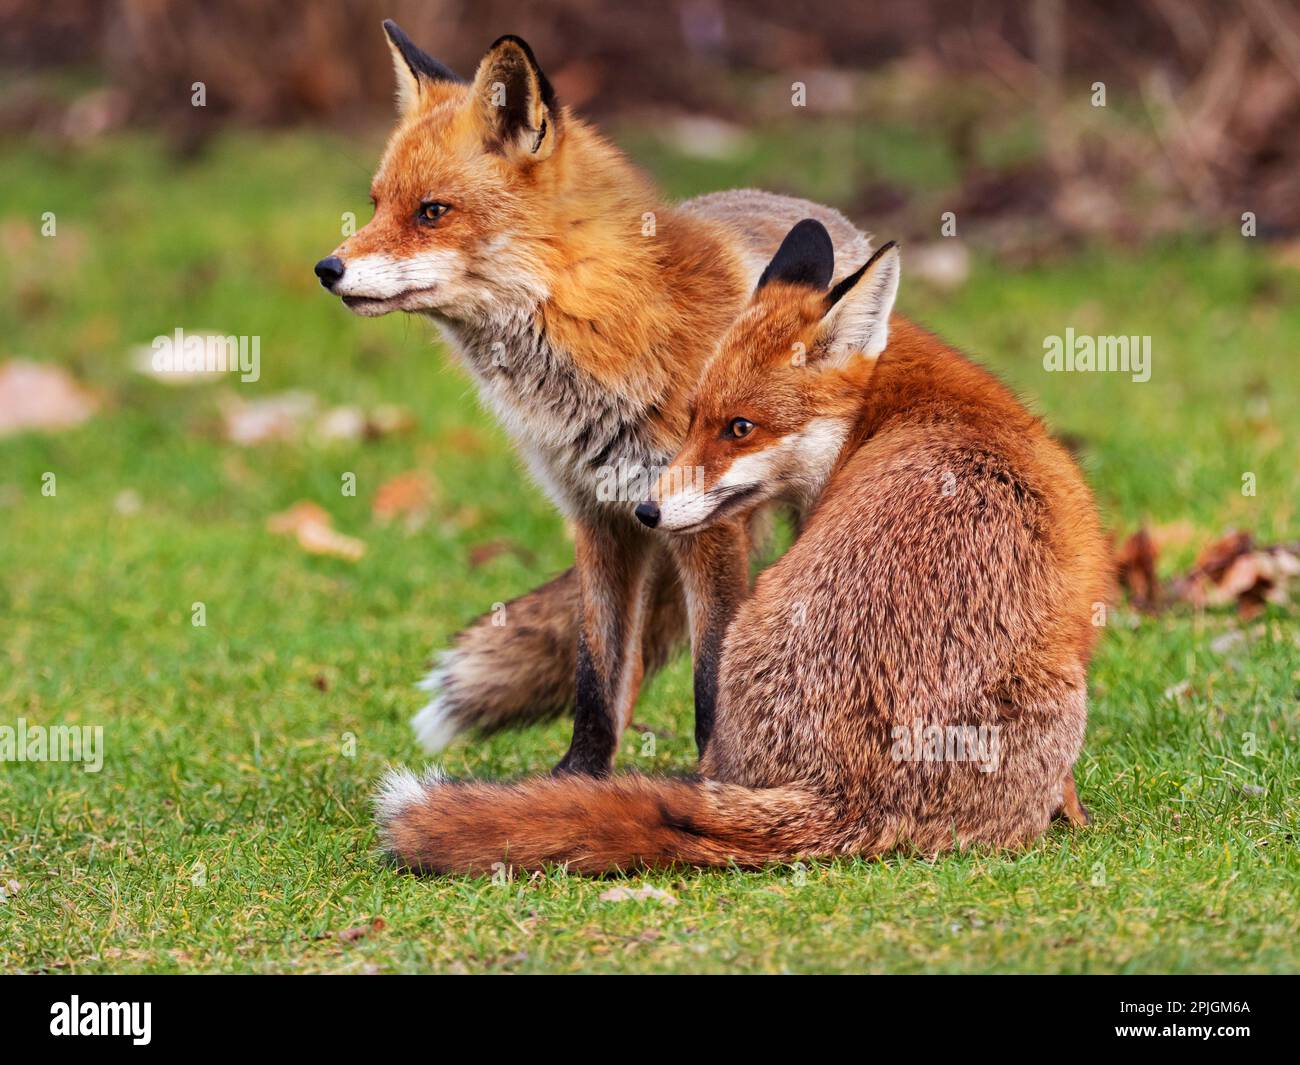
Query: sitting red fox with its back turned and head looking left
{"points": [[912, 673]]}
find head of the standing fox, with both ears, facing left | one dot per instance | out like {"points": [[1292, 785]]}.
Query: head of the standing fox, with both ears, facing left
{"points": [[460, 191]]}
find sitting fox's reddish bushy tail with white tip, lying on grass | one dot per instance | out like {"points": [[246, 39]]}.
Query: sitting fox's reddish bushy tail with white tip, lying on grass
{"points": [[595, 826]]}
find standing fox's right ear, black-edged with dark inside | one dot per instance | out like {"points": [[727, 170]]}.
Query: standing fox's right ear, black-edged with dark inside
{"points": [[517, 102]]}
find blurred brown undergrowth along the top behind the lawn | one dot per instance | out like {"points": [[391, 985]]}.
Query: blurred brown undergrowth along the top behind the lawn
{"points": [[1203, 97]]}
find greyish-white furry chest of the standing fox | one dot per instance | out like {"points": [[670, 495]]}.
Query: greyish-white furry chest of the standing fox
{"points": [[592, 449]]}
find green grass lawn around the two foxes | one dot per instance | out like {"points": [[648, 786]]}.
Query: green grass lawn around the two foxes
{"points": [[229, 826]]}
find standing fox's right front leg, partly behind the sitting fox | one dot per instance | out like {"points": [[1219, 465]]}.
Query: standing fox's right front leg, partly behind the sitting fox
{"points": [[714, 568]]}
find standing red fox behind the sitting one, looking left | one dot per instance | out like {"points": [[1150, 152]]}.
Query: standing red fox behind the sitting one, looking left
{"points": [[584, 308]]}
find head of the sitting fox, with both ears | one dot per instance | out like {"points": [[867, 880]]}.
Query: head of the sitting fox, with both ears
{"points": [[777, 402]]}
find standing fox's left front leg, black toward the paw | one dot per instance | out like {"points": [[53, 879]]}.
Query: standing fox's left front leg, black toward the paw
{"points": [[614, 568]]}
